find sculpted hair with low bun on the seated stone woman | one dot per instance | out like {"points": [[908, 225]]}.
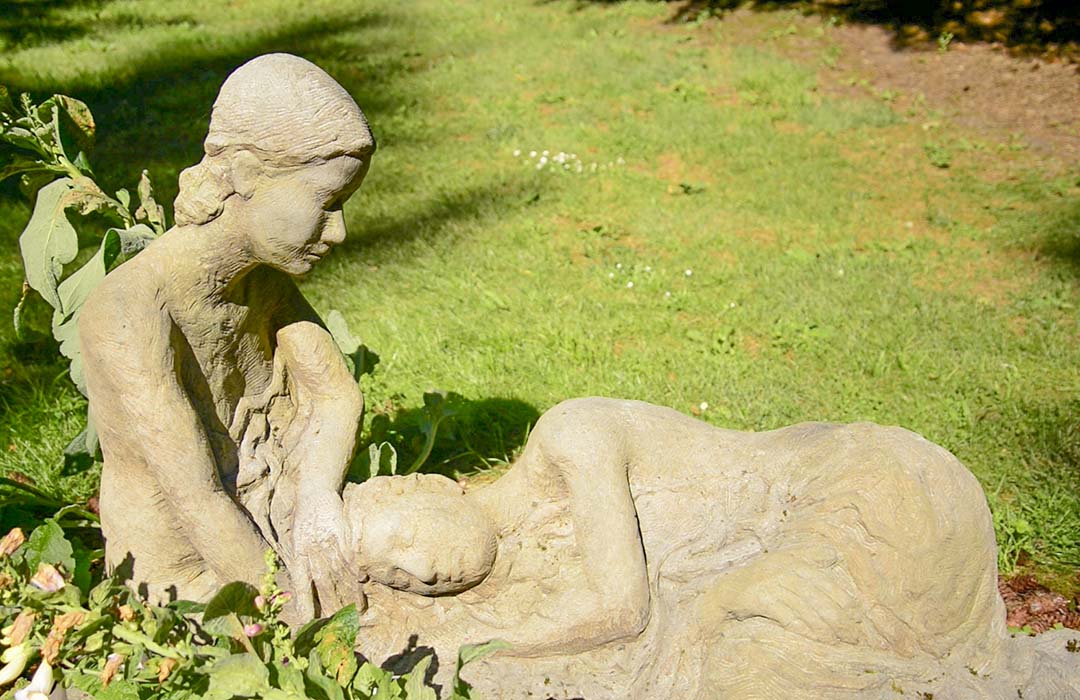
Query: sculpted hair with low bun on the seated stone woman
{"points": [[286, 111]]}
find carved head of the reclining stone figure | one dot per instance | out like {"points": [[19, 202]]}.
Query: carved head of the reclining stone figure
{"points": [[420, 534]]}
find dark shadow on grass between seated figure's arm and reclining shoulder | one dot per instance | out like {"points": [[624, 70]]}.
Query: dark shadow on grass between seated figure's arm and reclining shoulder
{"points": [[482, 434]]}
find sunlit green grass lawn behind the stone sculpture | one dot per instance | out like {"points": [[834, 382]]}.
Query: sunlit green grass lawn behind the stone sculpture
{"points": [[740, 243]]}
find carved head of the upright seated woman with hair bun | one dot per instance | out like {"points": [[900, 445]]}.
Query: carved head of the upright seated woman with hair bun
{"points": [[287, 147]]}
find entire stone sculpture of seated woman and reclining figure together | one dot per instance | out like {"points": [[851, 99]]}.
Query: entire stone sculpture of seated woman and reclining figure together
{"points": [[630, 553]]}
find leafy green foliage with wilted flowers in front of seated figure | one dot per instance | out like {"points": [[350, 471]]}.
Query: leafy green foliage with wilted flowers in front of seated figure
{"points": [[106, 642]]}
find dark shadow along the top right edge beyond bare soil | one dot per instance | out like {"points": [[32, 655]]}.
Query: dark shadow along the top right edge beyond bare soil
{"points": [[1045, 26]]}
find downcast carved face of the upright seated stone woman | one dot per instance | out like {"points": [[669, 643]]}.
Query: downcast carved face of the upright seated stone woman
{"points": [[294, 217]]}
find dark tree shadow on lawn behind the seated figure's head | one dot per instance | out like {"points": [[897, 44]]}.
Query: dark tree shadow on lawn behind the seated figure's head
{"points": [[155, 115]]}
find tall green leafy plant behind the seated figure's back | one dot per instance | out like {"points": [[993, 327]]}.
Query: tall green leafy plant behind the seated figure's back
{"points": [[47, 146]]}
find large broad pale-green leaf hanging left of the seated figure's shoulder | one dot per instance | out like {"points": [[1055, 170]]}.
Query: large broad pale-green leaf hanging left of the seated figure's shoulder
{"points": [[49, 241]]}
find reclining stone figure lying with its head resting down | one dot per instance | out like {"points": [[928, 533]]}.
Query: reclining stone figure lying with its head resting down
{"points": [[634, 553]]}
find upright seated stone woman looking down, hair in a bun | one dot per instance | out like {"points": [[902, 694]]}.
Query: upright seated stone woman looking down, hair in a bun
{"points": [[202, 345]]}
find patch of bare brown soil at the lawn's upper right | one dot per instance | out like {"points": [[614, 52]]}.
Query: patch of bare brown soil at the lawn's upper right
{"points": [[977, 86]]}
